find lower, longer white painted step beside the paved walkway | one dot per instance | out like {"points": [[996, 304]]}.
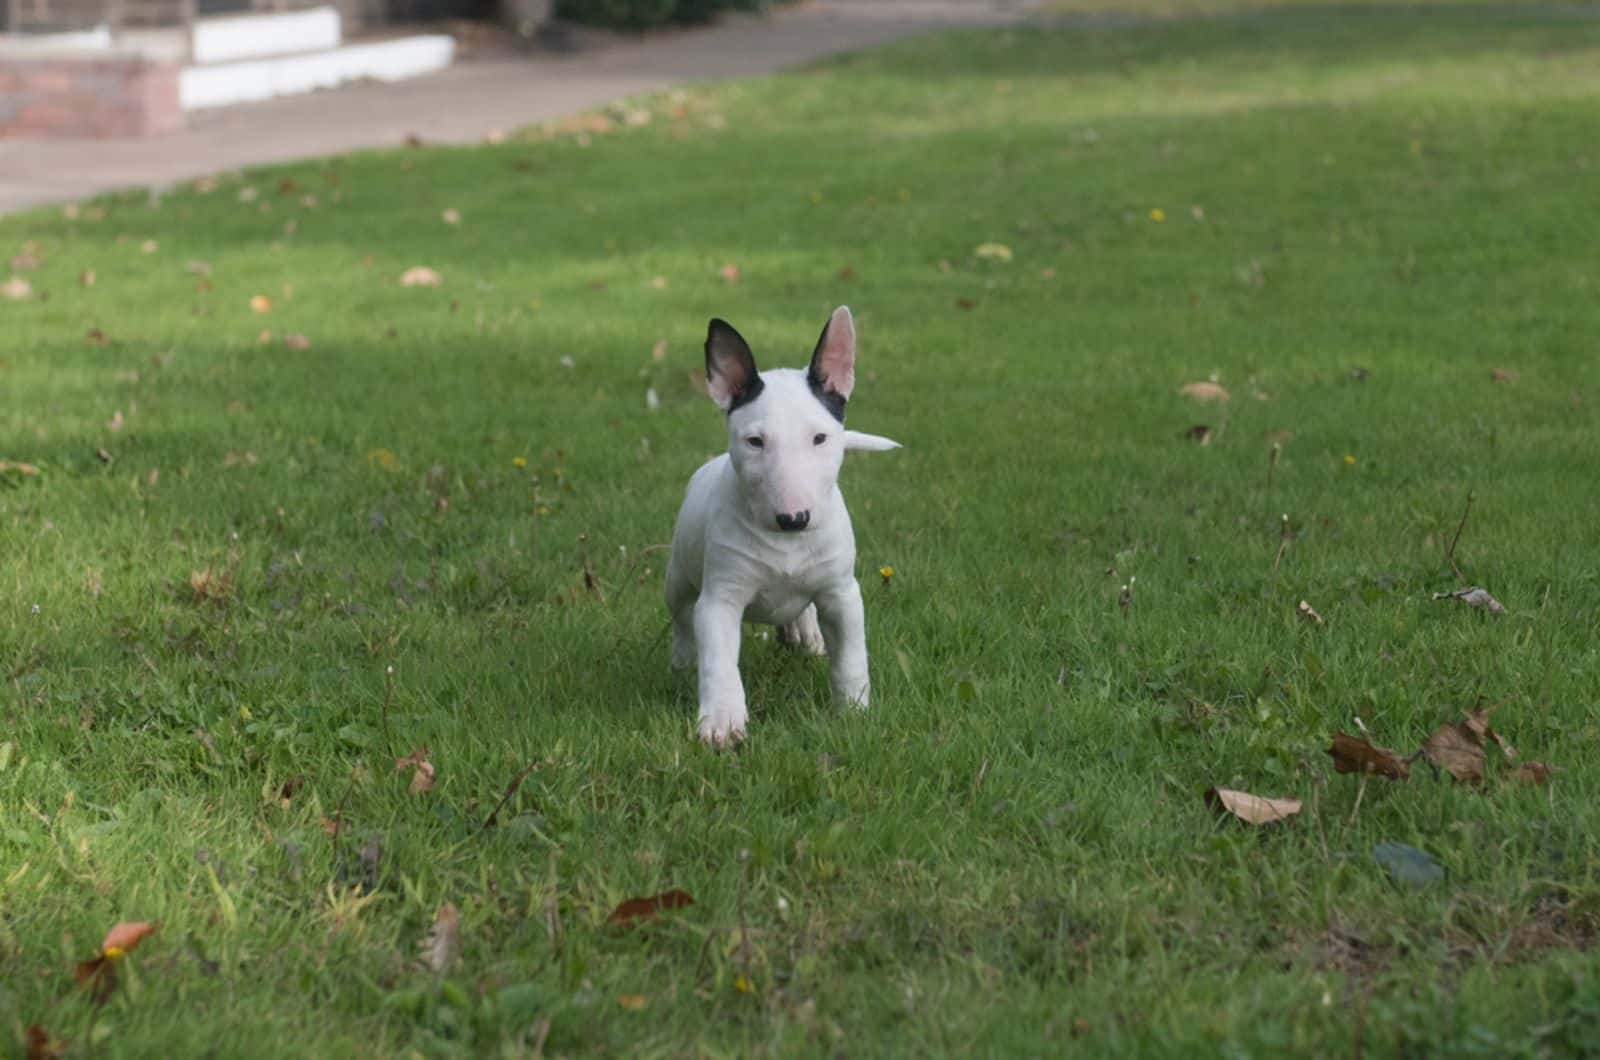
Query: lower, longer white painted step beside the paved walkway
{"points": [[252, 81]]}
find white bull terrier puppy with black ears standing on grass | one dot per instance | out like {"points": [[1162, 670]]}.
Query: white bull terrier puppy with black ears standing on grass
{"points": [[764, 534]]}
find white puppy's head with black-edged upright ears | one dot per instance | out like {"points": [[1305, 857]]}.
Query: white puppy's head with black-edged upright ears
{"points": [[786, 428]]}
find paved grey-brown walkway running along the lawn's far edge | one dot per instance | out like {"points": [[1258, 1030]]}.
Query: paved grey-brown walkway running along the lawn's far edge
{"points": [[478, 95]]}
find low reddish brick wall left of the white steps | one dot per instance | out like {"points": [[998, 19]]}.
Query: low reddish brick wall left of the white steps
{"points": [[54, 97]]}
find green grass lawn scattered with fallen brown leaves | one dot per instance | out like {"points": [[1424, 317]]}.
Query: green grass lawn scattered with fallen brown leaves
{"points": [[249, 574]]}
